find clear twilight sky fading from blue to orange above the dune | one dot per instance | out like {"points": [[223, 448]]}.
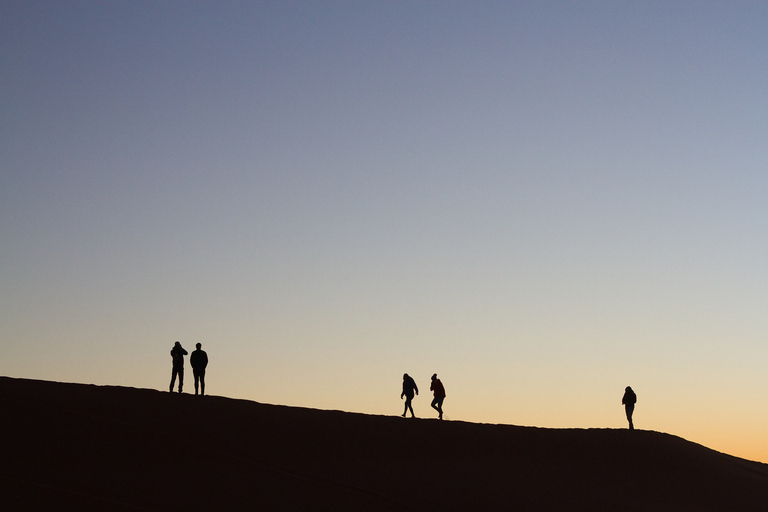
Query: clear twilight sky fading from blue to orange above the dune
{"points": [[541, 202]]}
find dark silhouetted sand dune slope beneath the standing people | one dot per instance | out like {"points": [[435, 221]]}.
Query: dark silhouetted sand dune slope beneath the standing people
{"points": [[84, 447]]}
